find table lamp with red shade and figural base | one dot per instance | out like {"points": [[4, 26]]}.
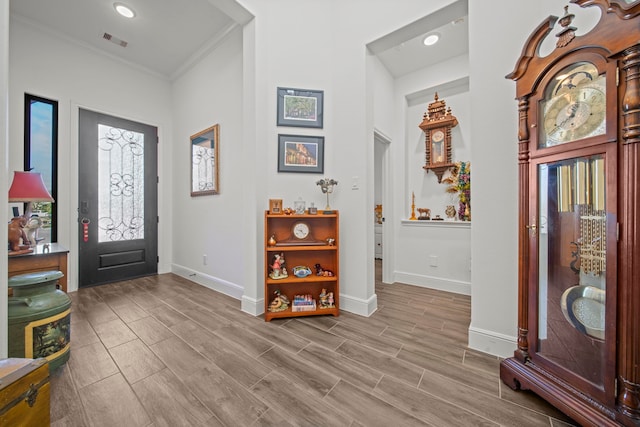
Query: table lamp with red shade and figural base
{"points": [[26, 187]]}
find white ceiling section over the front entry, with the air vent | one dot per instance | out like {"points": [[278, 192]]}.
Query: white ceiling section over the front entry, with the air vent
{"points": [[165, 36]]}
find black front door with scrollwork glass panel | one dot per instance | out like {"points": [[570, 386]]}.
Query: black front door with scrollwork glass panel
{"points": [[118, 198]]}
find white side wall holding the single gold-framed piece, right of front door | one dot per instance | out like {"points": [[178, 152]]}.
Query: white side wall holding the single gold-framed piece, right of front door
{"points": [[211, 93]]}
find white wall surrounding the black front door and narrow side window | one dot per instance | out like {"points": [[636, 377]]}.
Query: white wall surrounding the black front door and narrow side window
{"points": [[46, 65]]}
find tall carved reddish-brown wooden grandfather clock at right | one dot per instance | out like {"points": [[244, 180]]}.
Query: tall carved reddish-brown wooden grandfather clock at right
{"points": [[579, 223]]}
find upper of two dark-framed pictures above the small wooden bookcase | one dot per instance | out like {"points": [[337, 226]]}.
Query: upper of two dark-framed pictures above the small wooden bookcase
{"points": [[300, 107]]}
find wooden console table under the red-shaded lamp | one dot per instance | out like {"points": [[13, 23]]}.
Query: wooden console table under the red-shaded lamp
{"points": [[41, 260]]}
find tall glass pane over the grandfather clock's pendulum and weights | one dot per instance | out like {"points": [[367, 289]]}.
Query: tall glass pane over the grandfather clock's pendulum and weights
{"points": [[572, 265]]}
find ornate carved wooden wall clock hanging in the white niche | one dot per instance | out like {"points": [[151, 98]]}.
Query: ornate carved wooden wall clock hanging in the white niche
{"points": [[436, 125]]}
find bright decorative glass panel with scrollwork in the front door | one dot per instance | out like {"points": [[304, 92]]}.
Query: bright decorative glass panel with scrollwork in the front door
{"points": [[120, 184]]}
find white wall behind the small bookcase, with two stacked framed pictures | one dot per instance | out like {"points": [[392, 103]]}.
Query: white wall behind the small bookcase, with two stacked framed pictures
{"points": [[321, 45]]}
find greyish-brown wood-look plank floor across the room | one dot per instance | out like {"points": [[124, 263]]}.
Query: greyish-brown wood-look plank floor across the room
{"points": [[163, 351]]}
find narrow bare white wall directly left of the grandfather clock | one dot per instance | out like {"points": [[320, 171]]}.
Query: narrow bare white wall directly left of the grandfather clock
{"points": [[494, 125]]}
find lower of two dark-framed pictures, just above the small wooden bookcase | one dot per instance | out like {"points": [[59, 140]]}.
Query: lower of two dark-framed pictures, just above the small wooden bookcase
{"points": [[297, 153]]}
